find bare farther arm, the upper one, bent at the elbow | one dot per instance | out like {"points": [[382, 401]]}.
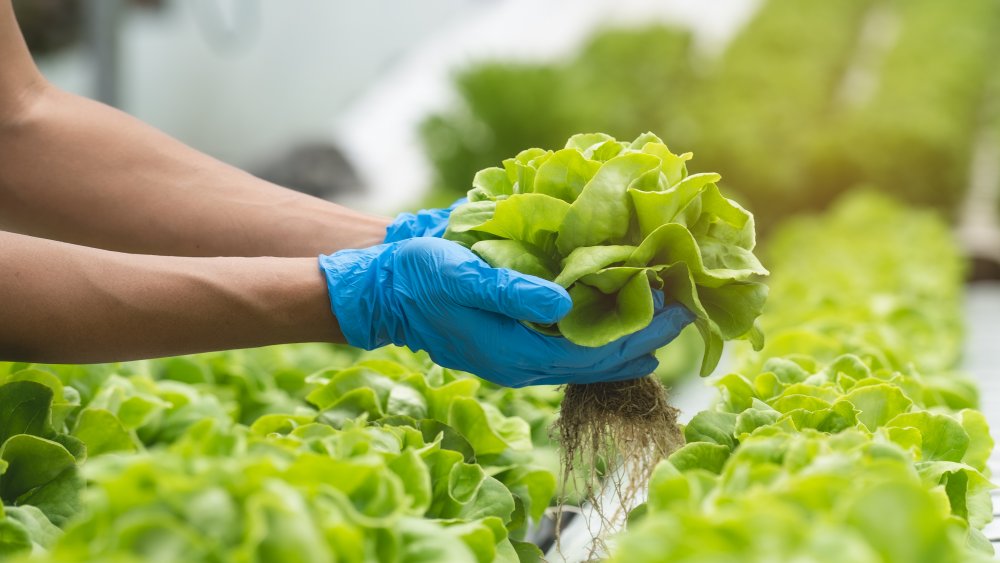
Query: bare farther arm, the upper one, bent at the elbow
{"points": [[78, 171]]}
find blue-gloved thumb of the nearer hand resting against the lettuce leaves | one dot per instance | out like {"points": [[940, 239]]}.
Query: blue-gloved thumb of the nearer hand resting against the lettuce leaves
{"points": [[519, 296]]}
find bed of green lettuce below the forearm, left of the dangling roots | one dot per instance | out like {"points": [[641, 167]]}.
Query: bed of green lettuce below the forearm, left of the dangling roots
{"points": [[166, 425]]}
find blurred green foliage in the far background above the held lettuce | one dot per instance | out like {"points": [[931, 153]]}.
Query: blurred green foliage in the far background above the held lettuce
{"points": [[808, 100]]}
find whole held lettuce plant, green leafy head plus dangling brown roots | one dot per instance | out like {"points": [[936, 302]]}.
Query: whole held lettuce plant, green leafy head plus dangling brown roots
{"points": [[613, 222]]}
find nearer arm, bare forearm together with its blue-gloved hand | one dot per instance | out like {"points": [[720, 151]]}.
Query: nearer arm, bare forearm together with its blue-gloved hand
{"points": [[63, 303]]}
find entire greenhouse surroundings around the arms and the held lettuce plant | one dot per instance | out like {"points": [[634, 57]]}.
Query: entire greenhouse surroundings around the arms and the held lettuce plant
{"points": [[863, 135]]}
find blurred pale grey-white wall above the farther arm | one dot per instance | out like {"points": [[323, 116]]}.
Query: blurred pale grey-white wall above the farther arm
{"points": [[285, 75]]}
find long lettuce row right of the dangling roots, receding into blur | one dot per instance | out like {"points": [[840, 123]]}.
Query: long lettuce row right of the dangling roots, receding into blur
{"points": [[838, 448]]}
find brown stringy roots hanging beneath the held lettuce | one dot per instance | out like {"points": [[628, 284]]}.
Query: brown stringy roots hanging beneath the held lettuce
{"points": [[612, 435]]}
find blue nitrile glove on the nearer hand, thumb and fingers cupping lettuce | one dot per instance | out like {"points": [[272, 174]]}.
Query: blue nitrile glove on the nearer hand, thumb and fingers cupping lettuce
{"points": [[435, 295]]}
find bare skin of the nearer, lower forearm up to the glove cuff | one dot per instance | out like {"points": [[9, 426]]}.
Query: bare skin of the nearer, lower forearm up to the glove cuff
{"points": [[69, 304]]}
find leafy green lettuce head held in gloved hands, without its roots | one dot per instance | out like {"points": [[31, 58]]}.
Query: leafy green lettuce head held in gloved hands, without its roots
{"points": [[608, 220]]}
